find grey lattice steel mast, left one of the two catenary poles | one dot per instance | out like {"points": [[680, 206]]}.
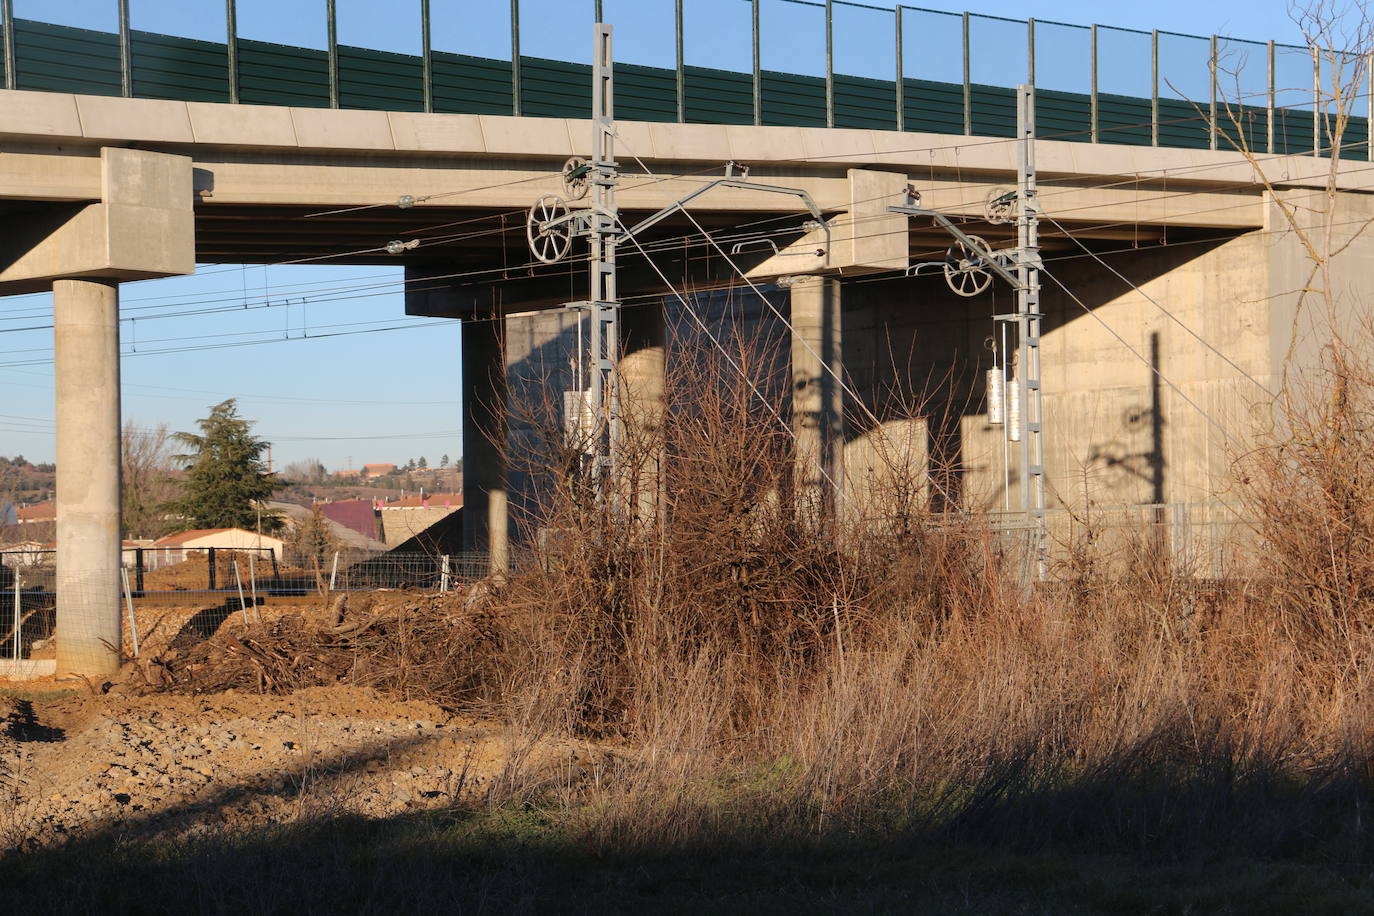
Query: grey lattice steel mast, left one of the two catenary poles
{"points": [[604, 229]]}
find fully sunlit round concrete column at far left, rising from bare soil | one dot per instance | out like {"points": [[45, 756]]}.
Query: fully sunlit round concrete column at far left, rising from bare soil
{"points": [[87, 340]]}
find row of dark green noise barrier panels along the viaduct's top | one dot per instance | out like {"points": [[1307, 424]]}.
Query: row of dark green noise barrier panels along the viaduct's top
{"points": [[58, 58]]}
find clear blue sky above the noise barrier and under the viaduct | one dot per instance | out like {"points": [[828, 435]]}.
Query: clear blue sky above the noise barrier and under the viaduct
{"points": [[392, 396]]}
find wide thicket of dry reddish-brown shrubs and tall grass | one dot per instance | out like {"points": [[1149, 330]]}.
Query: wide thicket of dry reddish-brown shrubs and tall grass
{"points": [[781, 671]]}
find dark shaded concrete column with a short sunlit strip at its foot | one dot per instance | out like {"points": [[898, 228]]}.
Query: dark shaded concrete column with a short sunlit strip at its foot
{"points": [[486, 513]]}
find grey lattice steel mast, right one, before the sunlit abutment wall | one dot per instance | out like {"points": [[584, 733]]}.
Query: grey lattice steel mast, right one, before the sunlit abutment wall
{"points": [[1030, 321]]}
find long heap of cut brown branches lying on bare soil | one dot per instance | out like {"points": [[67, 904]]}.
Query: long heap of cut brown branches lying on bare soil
{"points": [[432, 649]]}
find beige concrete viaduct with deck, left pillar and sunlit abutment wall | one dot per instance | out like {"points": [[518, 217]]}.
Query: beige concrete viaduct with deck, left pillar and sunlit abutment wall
{"points": [[100, 190]]}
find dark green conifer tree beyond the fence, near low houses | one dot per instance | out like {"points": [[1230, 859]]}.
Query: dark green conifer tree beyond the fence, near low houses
{"points": [[226, 477]]}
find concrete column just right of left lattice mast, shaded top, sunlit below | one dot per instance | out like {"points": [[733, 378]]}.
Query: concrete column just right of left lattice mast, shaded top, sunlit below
{"points": [[642, 403]]}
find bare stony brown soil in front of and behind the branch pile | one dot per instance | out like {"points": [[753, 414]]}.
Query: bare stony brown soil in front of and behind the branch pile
{"points": [[101, 757]]}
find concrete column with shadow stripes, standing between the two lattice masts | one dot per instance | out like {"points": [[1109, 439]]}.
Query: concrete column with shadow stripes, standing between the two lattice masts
{"points": [[817, 398]]}
